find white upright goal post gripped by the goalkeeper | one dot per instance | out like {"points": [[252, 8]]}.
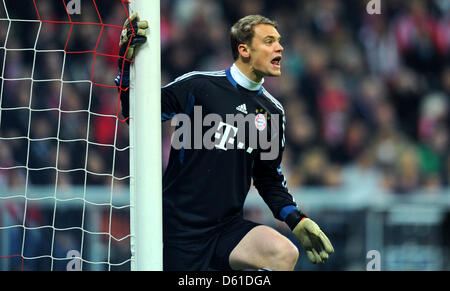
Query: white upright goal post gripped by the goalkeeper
{"points": [[145, 142]]}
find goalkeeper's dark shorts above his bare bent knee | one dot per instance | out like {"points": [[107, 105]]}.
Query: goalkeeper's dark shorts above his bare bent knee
{"points": [[206, 253]]}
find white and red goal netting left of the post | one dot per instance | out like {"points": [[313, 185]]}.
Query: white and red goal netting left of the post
{"points": [[64, 149]]}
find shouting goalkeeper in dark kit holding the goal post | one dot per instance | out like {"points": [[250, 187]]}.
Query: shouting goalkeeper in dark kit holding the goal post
{"points": [[204, 189]]}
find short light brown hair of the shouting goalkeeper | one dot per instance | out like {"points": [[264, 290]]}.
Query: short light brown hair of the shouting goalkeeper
{"points": [[242, 32]]}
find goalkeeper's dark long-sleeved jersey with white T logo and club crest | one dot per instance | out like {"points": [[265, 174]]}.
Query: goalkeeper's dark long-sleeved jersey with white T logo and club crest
{"points": [[204, 188]]}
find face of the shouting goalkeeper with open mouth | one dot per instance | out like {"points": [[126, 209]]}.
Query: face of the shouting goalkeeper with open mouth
{"points": [[265, 51]]}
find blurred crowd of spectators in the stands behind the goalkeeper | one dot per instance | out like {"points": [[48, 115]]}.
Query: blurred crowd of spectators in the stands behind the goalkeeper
{"points": [[366, 97]]}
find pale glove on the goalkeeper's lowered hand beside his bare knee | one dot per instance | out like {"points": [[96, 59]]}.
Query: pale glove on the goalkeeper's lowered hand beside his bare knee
{"points": [[315, 243]]}
